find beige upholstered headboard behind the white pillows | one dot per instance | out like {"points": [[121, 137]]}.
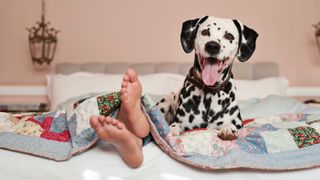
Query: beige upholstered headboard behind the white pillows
{"points": [[248, 71]]}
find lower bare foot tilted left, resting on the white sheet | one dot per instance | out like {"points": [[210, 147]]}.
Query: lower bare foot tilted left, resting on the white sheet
{"points": [[116, 133]]}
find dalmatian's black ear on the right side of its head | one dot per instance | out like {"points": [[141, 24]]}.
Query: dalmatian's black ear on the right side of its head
{"points": [[247, 41]]}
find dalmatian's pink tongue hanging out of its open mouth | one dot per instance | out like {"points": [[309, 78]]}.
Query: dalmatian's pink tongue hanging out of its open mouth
{"points": [[210, 74]]}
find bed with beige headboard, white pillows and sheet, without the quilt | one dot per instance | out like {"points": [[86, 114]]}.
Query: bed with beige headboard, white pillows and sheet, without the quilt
{"points": [[102, 161]]}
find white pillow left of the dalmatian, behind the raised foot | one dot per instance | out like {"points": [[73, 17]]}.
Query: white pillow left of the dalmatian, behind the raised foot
{"points": [[62, 88]]}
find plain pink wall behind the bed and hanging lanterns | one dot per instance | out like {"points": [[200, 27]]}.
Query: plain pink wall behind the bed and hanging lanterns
{"points": [[148, 31]]}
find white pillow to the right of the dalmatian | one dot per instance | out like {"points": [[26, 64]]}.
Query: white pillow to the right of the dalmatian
{"points": [[247, 89]]}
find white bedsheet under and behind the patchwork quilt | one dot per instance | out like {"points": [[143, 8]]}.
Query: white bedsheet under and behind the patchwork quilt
{"points": [[102, 162]]}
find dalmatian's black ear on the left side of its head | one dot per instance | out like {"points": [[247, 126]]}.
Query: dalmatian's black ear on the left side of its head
{"points": [[188, 34]]}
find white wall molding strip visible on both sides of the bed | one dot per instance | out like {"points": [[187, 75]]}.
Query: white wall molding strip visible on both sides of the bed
{"points": [[42, 91]]}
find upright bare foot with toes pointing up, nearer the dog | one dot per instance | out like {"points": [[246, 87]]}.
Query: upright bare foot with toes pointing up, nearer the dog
{"points": [[130, 110]]}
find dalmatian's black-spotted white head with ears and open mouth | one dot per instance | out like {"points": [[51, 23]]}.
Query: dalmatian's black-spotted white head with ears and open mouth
{"points": [[217, 42]]}
